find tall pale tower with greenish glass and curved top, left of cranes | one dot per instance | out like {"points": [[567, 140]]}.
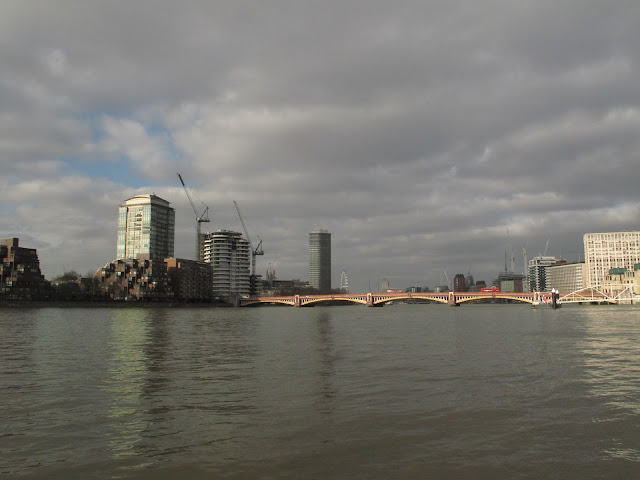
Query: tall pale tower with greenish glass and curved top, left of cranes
{"points": [[146, 228]]}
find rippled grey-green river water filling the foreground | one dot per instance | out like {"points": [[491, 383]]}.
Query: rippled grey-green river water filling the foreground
{"points": [[404, 391]]}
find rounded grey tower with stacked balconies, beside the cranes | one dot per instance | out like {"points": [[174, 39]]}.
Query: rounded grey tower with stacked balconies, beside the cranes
{"points": [[230, 258]]}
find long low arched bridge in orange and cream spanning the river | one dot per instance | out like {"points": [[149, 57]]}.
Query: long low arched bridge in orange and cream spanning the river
{"points": [[379, 299]]}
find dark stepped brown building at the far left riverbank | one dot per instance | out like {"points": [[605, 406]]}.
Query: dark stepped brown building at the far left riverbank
{"points": [[20, 275]]}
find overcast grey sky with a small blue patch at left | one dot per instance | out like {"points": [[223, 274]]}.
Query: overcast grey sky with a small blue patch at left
{"points": [[427, 136]]}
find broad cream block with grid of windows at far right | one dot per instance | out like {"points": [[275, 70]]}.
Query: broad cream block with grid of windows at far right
{"points": [[604, 251]]}
